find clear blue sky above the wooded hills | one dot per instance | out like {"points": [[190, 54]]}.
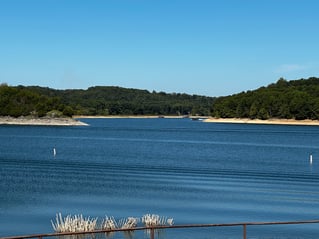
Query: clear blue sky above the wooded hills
{"points": [[205, 47]]}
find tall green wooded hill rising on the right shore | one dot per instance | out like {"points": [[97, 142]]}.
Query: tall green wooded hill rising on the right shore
{"points": [[297, 99]]}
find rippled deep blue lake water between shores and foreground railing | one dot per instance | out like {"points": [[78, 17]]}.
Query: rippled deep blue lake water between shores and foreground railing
{"points": [[191, 171]]}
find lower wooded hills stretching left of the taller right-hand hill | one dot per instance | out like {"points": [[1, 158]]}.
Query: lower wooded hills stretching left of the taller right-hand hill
{"points": [[101, 100]]}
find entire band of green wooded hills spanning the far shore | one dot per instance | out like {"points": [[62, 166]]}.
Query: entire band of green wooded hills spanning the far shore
{"points": [[296, 99]]}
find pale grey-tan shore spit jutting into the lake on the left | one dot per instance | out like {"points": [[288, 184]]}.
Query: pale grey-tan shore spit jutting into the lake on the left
{"points": [[41, 121]]}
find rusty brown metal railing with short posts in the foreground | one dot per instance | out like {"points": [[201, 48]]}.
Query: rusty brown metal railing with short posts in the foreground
{"points": [[152, 229]]}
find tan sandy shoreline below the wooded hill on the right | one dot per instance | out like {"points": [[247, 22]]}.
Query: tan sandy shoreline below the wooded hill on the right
{"points": [[258, 121]]}
